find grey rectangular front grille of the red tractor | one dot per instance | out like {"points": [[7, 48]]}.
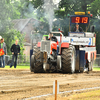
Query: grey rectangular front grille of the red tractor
{"points": [[45, 46]]}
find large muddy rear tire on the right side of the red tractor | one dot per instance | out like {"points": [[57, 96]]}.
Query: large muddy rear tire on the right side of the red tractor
{"points": [[68, 59]]}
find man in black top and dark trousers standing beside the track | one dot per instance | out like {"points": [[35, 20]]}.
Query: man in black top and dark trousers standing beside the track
{"points": [[15, 49]]}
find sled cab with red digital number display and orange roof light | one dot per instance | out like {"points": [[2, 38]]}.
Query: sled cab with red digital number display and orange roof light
{"points": [[78, 20]]}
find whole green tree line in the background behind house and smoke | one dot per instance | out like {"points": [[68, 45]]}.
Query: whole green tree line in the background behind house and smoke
{"points": [[21, 9]]}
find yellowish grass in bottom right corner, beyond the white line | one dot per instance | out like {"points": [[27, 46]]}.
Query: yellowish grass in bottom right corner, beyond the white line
{"points": [[92, 95]]}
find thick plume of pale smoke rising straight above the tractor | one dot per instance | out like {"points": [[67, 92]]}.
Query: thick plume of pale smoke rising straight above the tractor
{"points": [[49, 7]]}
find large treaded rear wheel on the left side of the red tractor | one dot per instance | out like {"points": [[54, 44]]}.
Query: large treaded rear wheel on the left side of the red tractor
{"points": [[36, 64]]}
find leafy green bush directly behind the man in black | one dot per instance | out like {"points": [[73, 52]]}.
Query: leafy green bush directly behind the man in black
{"points": [[10, 38]]}
